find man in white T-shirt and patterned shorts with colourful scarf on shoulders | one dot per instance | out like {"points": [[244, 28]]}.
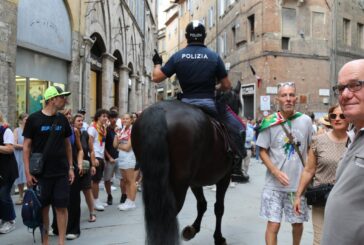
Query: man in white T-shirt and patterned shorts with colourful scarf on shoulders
{"points": [[283, 140]]}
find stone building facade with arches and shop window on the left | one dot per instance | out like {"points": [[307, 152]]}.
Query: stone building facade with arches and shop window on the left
{"points": [[99, 50]]}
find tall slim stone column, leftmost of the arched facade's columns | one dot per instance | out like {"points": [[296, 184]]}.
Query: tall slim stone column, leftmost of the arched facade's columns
{"points": [[85, 84]]}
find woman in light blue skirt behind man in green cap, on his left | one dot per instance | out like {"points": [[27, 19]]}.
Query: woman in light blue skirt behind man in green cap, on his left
{"points": [[18, 146]]}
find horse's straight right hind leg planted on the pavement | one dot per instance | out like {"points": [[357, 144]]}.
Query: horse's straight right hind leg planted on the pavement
{"points": [[221, 188]]}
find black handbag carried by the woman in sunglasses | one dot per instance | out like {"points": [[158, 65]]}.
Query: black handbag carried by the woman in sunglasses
{"points": [[317, 195]]}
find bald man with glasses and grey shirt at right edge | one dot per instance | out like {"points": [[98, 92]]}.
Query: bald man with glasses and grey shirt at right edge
{"points": [[344, 216]]}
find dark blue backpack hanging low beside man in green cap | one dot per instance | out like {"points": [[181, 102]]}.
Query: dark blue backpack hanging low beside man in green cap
{"points": [[31, 211]]}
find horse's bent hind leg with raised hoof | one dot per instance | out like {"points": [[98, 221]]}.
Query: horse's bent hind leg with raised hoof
{"points": [[189, 232]]}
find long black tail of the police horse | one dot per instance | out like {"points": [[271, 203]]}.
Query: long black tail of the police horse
{"points": [[159, 202]]}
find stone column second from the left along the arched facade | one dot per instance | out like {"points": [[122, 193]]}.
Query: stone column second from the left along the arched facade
{"points": [[107, 80]]}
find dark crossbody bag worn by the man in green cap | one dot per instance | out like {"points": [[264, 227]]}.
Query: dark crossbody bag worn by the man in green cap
{"points": [[36, 160]]}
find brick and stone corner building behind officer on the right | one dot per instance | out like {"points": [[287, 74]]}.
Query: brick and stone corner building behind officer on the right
{"points": [[305, 41]]}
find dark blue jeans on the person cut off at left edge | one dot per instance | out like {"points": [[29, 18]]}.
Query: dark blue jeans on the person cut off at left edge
{"points": [[7, 212]]}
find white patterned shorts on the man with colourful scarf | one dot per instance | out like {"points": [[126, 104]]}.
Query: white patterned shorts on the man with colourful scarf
{"points": [[274, 203]]}
